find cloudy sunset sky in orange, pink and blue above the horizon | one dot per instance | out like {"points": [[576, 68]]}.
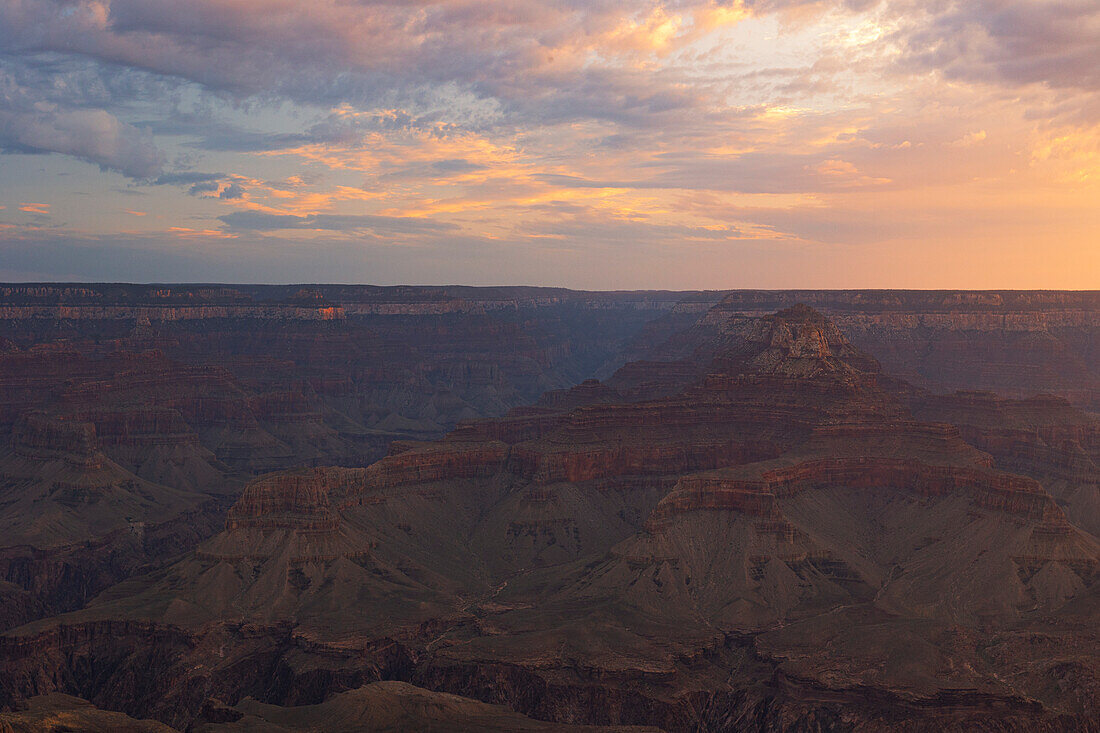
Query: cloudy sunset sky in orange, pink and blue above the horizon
{"points": [[581, 144]]}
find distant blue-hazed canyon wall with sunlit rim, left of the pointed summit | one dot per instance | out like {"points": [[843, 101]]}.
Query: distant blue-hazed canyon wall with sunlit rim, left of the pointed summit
{"points": [[365, 365]]}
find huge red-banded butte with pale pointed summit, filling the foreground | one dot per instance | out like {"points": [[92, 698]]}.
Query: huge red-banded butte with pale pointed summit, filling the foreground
{"points": [[669, 550]]}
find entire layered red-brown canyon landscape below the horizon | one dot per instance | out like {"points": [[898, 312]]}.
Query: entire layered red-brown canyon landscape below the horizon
{"points": [[248, 508]]}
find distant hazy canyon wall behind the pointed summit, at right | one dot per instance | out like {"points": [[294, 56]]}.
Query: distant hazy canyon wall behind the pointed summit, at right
{"points": [[1018, 344]]}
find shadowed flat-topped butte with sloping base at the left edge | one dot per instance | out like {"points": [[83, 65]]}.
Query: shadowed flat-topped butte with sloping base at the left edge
{"points": [[74, 521]]}
